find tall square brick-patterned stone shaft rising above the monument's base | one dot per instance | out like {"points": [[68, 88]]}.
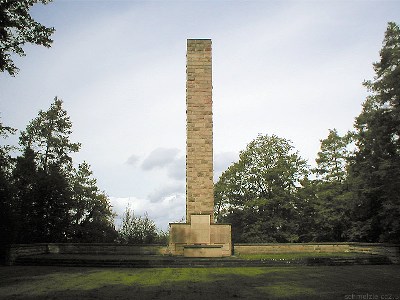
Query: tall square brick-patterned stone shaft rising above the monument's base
{"points": [[199, 129]]}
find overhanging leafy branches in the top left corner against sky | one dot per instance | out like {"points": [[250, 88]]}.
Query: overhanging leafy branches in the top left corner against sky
{"points": [[17, 28]]}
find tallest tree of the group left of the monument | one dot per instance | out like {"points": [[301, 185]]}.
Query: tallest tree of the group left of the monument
{"points": [[42, 176]]}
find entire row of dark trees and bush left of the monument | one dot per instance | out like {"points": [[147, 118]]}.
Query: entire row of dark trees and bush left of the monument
{"points": [[45, 198]]}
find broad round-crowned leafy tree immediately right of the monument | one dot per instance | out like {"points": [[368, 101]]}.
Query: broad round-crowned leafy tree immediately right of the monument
{"points": [[258, 194]]}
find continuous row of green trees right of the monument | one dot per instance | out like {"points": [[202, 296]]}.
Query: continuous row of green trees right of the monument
{"points": [[271, 195]]}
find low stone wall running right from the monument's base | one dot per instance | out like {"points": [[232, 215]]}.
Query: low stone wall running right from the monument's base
{"points": [[390, 250]]}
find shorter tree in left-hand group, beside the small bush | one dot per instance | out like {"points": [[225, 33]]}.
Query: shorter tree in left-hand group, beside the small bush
{"points": [[92, 216]]}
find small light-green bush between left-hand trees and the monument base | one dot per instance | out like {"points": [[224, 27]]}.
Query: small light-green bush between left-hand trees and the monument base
{"points": [[137, 230]]}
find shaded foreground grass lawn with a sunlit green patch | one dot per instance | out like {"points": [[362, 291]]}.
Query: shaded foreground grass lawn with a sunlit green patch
{"points": [[298, 282]]}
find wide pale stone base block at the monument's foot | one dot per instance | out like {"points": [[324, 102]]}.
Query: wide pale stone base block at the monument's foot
{"points": [[200, 238]]}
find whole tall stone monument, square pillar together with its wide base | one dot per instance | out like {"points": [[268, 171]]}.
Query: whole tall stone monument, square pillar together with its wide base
{"points": [[199, 236]]}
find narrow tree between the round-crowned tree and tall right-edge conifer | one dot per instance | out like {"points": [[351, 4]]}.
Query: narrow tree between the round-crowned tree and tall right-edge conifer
{"points": [[333, 195]]}
